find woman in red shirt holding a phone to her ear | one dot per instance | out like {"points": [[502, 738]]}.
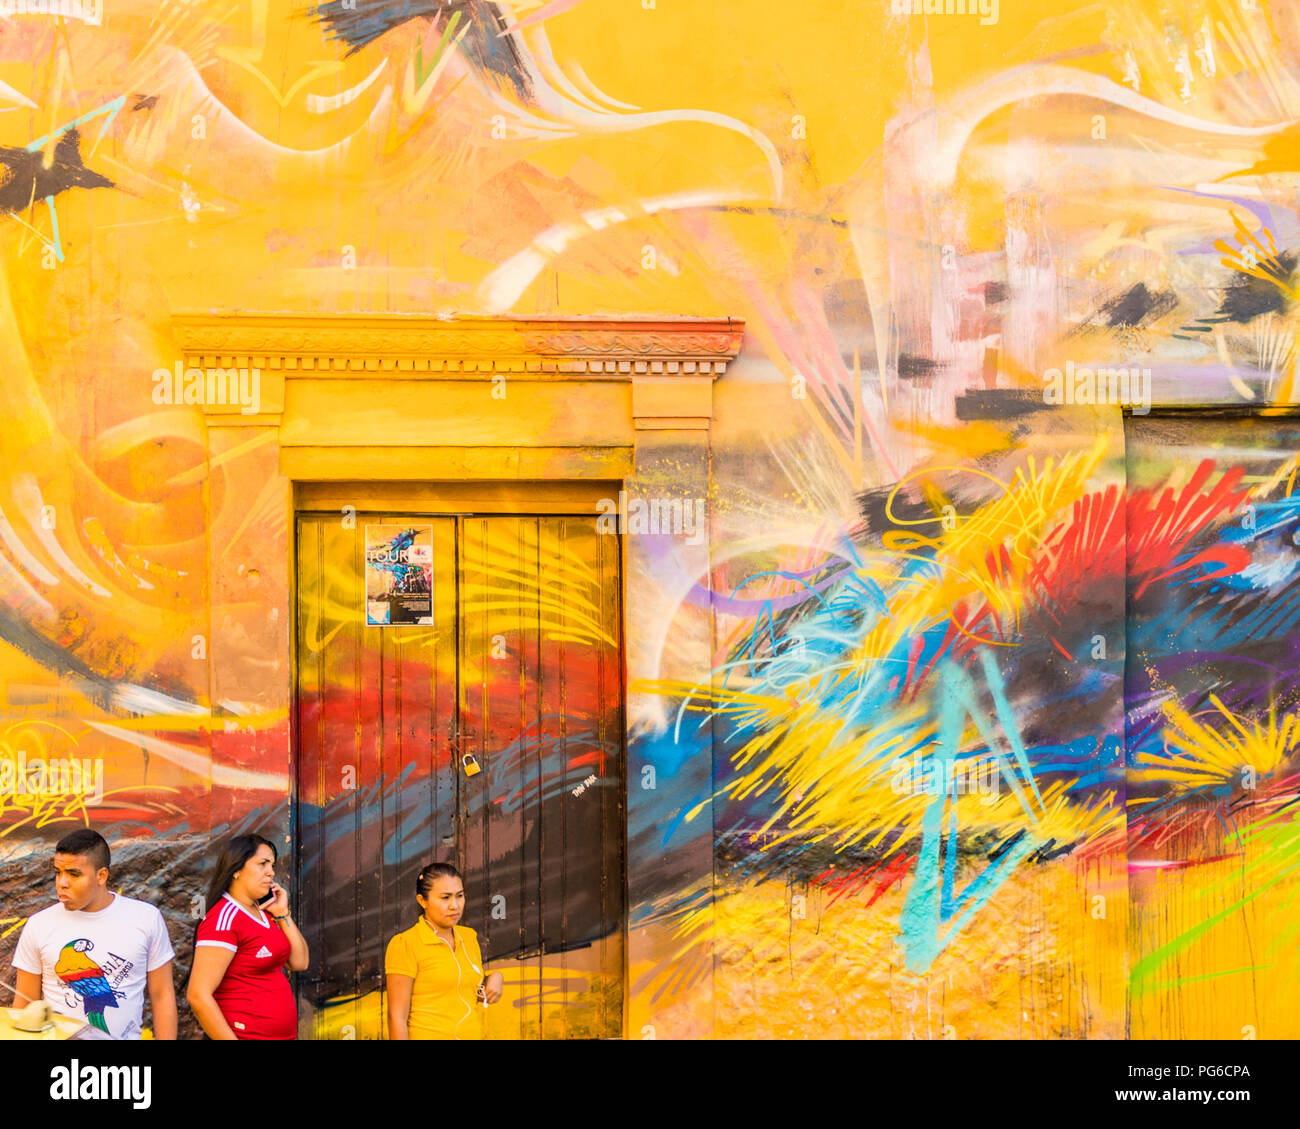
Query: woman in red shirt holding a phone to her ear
{"points": [[239, 988]]}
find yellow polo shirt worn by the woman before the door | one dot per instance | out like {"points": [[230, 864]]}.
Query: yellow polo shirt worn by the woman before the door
{"points": [[444, 1001]]}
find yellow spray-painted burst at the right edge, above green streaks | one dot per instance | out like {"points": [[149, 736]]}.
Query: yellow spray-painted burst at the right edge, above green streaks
{"points": [[1204, 754]]}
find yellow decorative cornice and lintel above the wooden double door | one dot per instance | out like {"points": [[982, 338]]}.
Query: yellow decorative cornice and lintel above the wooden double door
{"points": [[404, 396]]}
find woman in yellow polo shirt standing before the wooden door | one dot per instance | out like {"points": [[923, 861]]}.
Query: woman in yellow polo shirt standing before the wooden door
{"points": [[435, 970]]}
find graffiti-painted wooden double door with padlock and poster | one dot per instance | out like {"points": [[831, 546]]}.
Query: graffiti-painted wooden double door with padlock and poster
{"points": [[461, 699]]}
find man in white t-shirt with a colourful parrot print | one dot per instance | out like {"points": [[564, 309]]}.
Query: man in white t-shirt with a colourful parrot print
{"points": [[93, 955]]}
